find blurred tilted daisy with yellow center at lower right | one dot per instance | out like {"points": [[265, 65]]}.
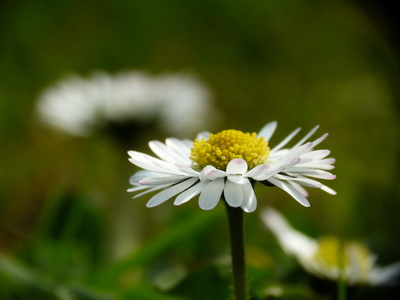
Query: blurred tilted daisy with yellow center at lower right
{"points": [[329, 257]]}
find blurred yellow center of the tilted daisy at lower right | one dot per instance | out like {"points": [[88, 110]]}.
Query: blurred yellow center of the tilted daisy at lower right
{"points": [[334, 253]]}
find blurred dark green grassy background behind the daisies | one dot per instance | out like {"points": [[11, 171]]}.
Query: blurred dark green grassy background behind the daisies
{"points": [[69, 229]]}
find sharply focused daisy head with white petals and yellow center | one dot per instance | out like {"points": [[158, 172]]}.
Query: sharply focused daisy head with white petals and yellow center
{"points": [[228, 164]]}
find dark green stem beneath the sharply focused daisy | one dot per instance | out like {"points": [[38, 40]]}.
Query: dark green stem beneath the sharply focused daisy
{"points": [[235, 217]]}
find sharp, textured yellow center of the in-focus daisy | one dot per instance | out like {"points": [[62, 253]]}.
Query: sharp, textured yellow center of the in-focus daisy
{"points": [[219, 149]]}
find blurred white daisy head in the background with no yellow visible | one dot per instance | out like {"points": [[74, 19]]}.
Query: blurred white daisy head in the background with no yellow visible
{"points": [[179, 103]]}
